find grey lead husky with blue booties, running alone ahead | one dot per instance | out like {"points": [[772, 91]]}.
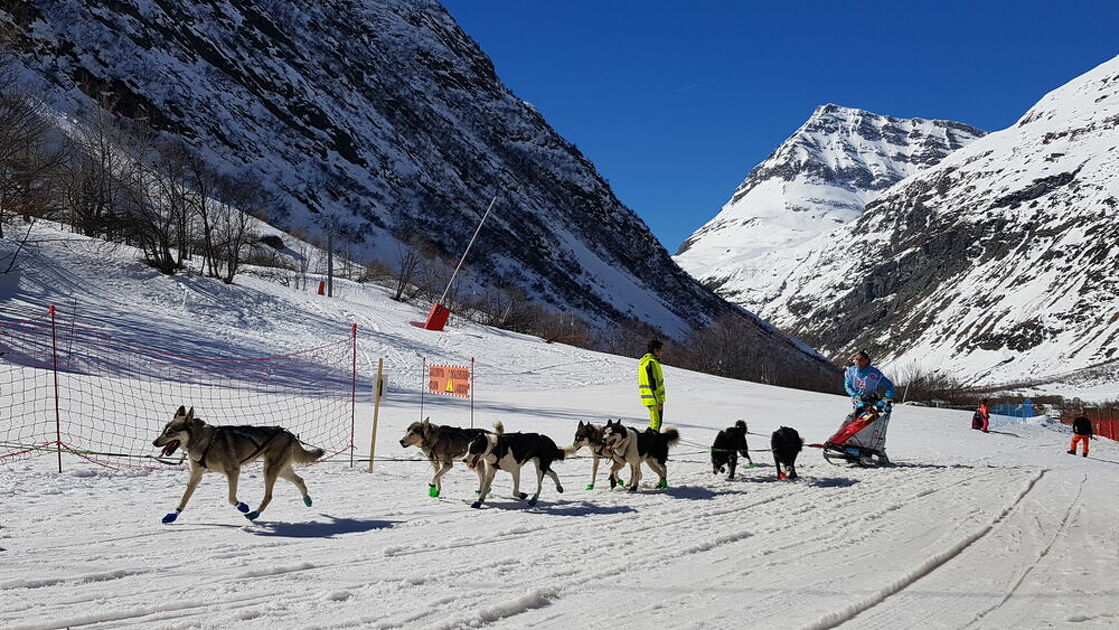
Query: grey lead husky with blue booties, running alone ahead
{"points": [[227, 449]]}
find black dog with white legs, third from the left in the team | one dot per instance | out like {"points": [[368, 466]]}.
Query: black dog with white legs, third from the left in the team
{"points": [[510, 453]]}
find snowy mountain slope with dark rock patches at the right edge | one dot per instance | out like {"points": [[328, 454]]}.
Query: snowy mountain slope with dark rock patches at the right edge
{"points": [[998, 265]]}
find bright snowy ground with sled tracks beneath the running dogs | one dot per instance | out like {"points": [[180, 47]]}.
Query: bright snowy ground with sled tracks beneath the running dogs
{"points": [[968, 531]]}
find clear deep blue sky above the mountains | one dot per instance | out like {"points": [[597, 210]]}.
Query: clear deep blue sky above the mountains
{"points": [[676, 101]]}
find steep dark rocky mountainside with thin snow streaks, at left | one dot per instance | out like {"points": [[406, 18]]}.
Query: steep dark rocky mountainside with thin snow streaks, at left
{"points": [[381, 120]]}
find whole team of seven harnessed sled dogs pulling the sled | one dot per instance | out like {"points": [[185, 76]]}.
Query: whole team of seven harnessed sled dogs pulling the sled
{"points": [[228, 449]]}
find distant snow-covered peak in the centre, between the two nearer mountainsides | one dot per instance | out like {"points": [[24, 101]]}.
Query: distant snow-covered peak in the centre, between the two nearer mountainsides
{"points": [[817, 181]]}
